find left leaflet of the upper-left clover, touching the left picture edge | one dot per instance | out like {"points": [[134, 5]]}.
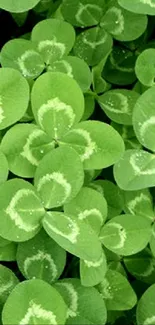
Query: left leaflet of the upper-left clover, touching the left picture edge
{"points": [[22, 55]]}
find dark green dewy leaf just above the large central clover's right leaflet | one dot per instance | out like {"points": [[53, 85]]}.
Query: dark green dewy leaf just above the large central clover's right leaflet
{"points": [[118, 105]]}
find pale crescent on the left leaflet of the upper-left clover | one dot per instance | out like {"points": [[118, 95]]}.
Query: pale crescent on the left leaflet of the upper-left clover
{"points": [[21, 62]]}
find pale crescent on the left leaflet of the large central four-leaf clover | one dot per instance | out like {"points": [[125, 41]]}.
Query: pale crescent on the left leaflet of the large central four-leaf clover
{"points": [[27, 153]]}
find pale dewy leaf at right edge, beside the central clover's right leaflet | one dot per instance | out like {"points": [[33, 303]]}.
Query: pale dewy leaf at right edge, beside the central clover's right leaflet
{"points": [[135, 170]]}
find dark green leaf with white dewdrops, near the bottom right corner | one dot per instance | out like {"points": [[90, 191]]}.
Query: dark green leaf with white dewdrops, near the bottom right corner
{"points": [[114, 288]]}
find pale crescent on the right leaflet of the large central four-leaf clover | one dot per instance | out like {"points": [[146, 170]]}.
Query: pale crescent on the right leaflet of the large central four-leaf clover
{"points": [[91, 145]]}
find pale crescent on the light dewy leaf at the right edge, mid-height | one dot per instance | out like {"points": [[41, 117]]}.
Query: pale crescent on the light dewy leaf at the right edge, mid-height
{"points": [[133, 161]]}
